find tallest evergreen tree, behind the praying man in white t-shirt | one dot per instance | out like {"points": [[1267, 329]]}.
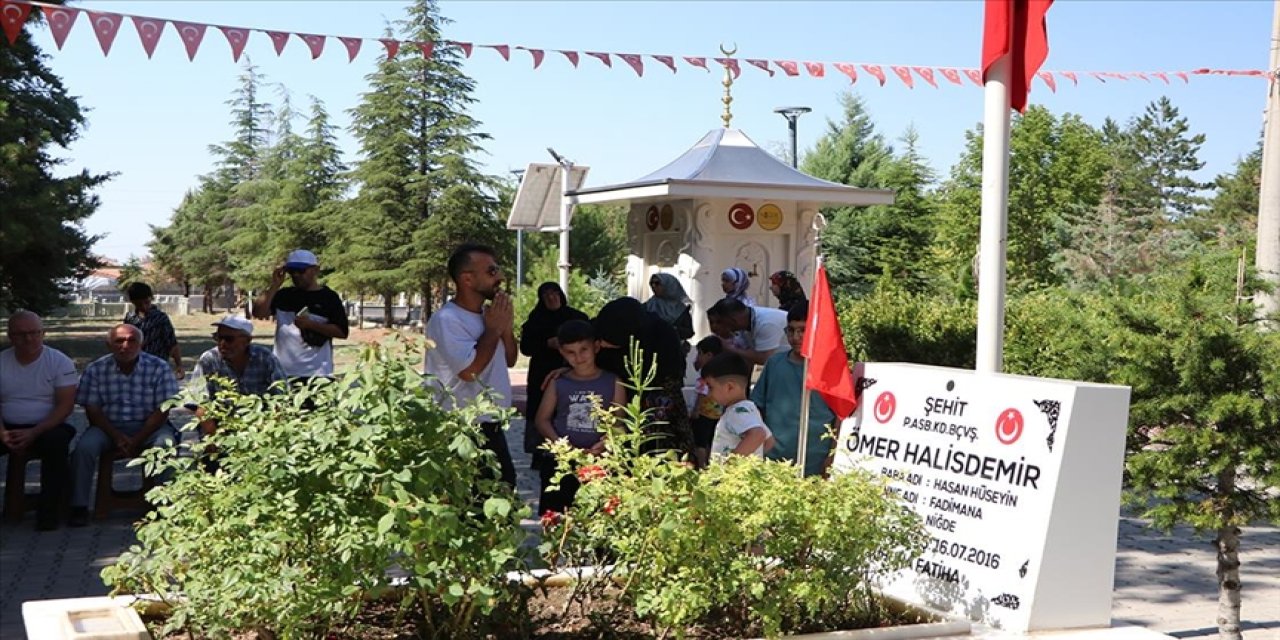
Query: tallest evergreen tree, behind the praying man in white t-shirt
{"points": [[419, 188]]}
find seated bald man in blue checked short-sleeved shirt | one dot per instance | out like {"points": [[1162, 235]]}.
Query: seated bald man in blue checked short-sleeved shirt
{"points": [[122, 395]]}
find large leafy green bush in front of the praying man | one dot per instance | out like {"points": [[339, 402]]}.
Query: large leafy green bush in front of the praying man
{"points": [[312, 508]]}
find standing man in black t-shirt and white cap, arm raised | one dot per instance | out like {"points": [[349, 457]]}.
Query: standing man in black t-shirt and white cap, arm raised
{"points": [[308, 317]]}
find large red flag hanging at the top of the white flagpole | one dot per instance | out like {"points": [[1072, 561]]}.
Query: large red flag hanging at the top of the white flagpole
{"points": [[1016, 29]]}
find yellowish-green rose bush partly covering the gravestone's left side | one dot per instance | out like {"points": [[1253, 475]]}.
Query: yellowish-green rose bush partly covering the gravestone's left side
{"points": [[744, 547]]}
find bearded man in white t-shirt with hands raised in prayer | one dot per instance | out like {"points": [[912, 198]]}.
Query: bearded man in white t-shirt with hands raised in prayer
{"points": [[476, 344]]}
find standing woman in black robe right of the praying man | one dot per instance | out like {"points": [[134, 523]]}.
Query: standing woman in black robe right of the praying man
{"points": [[538, 342]]}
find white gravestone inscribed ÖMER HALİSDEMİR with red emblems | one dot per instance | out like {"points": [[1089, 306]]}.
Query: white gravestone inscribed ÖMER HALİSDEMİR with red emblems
{"points": [[1017, 481]]}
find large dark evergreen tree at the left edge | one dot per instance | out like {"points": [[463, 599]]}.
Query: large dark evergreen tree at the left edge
{"points": [[43, 240]]}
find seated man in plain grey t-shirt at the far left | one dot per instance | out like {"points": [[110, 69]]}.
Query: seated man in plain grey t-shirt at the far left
{"points": [[38, 395]]}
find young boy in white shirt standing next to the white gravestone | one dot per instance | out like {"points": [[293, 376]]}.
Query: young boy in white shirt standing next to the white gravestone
{"points": [[740, 431]]}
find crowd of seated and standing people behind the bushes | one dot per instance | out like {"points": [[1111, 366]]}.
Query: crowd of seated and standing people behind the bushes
{"points": [[577, 364]]}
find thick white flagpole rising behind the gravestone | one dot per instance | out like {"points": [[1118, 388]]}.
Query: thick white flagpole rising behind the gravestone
{"points": [[995, 220]]}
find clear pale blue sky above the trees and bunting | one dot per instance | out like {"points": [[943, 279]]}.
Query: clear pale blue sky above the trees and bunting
{"points": [[152, 121]]}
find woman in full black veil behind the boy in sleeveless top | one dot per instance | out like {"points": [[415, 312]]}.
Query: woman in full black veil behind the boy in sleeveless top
{"points": [[616, 326]]}
